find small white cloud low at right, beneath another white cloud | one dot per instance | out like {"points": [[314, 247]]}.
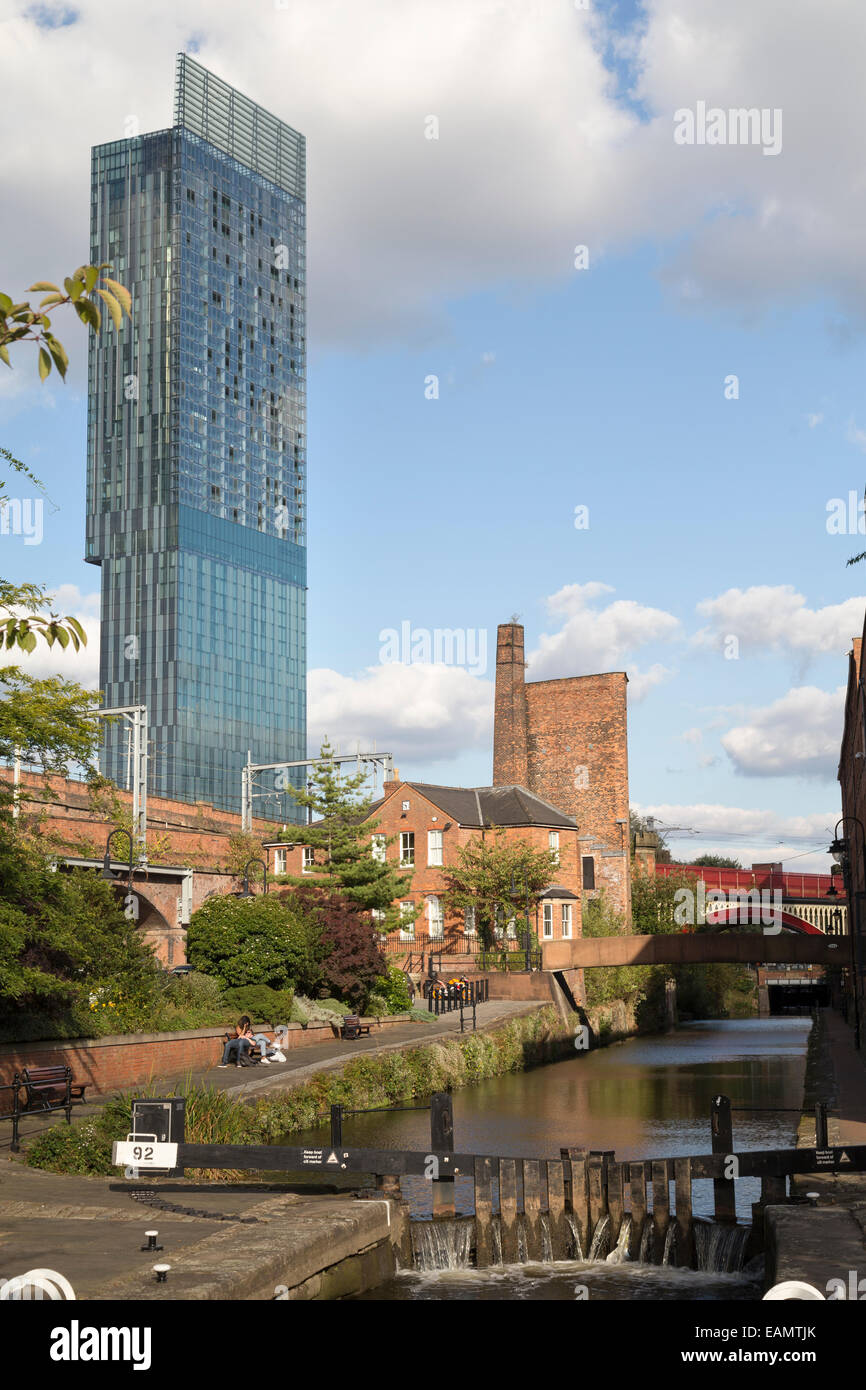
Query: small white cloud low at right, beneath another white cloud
{"points": [[797, 736]]}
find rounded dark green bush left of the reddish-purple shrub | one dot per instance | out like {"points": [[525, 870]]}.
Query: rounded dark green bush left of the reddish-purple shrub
{"points": [[256, 942]]}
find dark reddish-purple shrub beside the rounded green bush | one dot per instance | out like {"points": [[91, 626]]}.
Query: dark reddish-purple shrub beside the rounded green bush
{"points": [[351, 961]]}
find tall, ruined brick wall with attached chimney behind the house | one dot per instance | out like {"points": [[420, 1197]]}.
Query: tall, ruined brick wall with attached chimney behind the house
{"points": [[568, 743]]}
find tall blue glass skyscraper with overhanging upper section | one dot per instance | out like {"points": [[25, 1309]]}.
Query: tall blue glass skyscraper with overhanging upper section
{"points": [[197, 444]]}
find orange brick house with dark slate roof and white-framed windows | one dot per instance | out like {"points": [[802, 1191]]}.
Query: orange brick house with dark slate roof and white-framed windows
{"points": [[433, 825]]}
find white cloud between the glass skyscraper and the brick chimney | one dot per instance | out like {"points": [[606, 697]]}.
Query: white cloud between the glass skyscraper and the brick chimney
{"points": [[419, 712]]}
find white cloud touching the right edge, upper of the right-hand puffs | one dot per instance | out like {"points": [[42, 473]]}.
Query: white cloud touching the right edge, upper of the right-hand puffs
{"points": [[775, 619]]}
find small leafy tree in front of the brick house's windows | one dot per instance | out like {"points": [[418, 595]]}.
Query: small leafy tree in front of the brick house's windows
{"points": [[497, 878]]}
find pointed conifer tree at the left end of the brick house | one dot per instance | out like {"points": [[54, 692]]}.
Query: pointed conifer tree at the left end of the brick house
{"points": [[341, 840]]}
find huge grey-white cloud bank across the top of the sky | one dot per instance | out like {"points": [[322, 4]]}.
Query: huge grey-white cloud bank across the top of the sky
{"points": [[401, 224]]}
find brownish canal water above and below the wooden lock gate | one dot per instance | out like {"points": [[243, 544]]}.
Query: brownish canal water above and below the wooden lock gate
{"points": [[647, 1097]]}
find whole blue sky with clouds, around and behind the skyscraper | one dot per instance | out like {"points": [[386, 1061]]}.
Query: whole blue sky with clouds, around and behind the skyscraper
{"points": [[557, 389]]}
